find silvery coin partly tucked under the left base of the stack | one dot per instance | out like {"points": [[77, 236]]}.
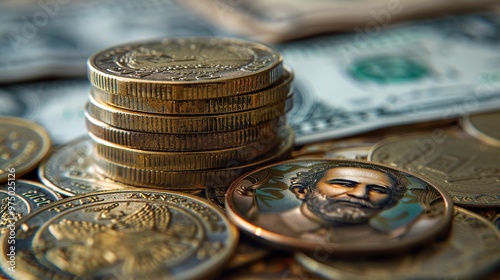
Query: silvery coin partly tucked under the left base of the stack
{"points": [[70, 170]]}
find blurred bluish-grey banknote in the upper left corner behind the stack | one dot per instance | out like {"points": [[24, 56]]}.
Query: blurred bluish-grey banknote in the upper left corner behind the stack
{"points": [[55, 37]]}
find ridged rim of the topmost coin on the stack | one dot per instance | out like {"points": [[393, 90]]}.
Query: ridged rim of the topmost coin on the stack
{"points": [[186, 90]]}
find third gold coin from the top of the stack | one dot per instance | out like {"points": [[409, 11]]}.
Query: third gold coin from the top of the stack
{"points": [[155, 123]]}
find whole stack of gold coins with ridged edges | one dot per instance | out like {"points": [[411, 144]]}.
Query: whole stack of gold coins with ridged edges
{"points": [[186, 113]]}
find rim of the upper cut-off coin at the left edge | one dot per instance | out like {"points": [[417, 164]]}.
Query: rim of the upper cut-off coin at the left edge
{"points": [[42, 152]]}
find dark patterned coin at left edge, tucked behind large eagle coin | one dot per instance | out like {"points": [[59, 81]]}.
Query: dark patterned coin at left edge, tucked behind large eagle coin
{"points": [[20, 197]]}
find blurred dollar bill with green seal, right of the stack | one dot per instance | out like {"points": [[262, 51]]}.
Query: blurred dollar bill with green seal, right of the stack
{"points": [[422, 71]]}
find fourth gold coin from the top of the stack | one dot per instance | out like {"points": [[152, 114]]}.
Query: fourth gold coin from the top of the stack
{"points": [[185, 142]]}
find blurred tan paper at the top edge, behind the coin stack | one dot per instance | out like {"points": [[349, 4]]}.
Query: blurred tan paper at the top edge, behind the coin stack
{"points": [[282, 20]]}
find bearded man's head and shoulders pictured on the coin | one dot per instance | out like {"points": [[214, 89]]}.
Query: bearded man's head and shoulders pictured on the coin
{"points": [[338, 202]]}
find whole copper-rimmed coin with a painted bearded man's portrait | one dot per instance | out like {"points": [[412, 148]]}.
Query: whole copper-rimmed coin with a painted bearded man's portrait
{"points": [[348, 208]]}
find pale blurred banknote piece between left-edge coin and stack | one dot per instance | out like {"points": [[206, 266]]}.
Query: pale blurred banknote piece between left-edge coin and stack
{"points": [[56, 105]]}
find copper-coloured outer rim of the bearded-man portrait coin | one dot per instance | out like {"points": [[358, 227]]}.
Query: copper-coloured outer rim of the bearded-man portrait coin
{"points": [[339, 249]]}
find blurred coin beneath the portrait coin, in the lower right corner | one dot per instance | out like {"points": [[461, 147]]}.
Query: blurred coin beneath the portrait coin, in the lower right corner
{"points": [[470, 252]]}
